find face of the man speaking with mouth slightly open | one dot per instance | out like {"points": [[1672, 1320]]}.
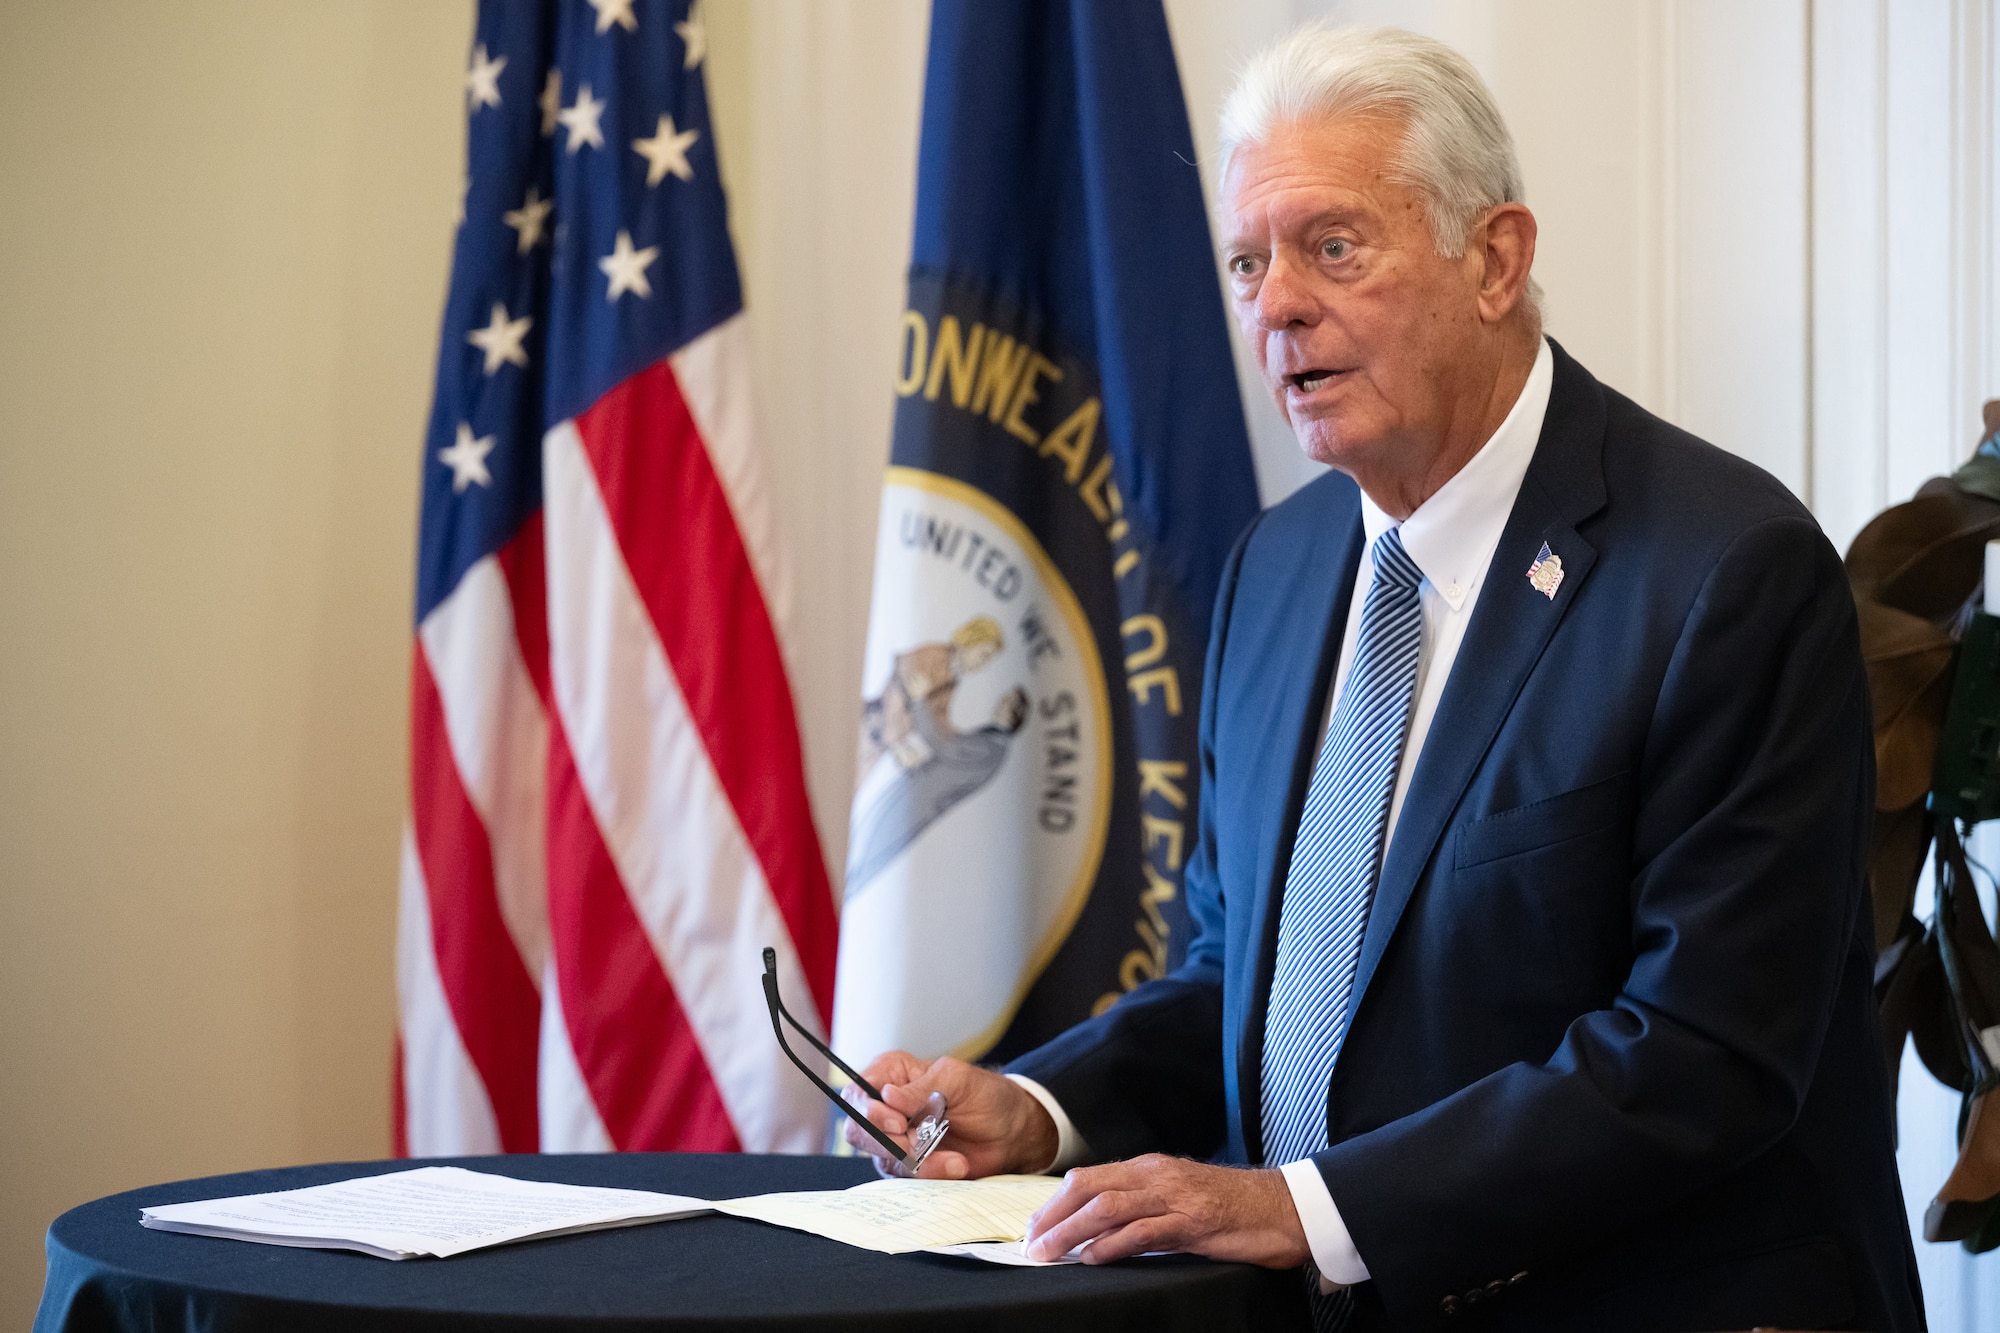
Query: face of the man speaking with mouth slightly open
{"points": [[1365, 333]]}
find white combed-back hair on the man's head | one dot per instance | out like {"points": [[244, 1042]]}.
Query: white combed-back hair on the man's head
{"points": [[1457, 151]]}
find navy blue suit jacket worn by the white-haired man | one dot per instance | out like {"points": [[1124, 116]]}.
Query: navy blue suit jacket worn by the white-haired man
{"points": [[1613, 1060]]}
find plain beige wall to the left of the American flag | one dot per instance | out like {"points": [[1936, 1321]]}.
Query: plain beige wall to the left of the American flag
{"points": [[225, 245]]}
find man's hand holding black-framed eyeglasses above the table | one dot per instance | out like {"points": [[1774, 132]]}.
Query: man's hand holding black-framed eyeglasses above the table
{"points": [[997, 1126]]}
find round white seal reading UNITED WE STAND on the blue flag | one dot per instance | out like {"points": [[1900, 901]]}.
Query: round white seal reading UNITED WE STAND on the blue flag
{"points": [[983, 764]]}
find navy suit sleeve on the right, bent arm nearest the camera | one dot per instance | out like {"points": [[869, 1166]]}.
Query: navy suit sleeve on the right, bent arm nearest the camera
{"points": [[1755, 794]]}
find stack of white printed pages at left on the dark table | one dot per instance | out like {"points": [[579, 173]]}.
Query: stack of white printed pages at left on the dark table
{"points": [[433, 1212]]}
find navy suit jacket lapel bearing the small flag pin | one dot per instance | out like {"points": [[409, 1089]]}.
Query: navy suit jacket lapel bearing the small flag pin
{"points": [[1511, 627]]}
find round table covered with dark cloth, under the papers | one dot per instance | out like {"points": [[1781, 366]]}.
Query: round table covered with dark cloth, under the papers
{"points": [[107, 1272]]}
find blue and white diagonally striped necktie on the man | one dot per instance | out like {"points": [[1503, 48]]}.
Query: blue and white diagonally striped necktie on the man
{"points": [[1335, 866]]}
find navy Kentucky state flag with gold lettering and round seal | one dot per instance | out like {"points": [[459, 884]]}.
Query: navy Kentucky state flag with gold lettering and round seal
{"points": [[1067, 477]]}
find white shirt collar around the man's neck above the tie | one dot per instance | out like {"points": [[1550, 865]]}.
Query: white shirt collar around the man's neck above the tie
{"points": [[1453, 533]]}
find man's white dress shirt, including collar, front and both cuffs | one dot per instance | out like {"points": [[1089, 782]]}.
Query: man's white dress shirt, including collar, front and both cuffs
{"points": [[1451, 537]]}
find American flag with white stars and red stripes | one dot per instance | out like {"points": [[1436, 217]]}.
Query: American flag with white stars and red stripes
{"points": [[607, 808]]}
